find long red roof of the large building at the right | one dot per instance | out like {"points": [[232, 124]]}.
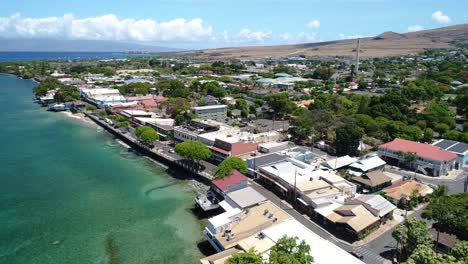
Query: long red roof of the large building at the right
{"points": [[421, 149]]}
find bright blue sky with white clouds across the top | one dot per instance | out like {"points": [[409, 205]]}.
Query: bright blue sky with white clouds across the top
{"points": [[211, 23]]}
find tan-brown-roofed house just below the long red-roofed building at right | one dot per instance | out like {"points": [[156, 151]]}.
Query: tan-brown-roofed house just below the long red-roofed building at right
{"points": [[402, 191]]}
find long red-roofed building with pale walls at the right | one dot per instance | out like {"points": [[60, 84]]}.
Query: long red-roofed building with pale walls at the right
{"points": [[430, 160]]}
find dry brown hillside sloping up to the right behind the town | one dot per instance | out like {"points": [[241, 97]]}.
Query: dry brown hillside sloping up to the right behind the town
{"points": [[386, 44]]}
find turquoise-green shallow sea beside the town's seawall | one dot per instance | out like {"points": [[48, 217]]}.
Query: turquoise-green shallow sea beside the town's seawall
{"points": [[69, 193]]}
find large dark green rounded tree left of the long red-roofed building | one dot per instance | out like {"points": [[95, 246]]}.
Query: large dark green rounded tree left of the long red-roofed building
{"points": [[347, 139]]}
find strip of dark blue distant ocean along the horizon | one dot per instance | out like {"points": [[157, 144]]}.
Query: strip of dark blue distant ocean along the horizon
{"points": [[30, 56]]}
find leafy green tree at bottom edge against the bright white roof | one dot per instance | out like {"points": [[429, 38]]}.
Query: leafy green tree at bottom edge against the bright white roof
{"points": [[290, 250]]}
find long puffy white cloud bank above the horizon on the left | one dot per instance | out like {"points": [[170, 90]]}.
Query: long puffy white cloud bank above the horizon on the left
{"points": [[106, 27]]}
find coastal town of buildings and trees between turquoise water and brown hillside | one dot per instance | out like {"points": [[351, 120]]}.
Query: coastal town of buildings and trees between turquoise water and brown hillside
{"points": [[365, 160]]}
